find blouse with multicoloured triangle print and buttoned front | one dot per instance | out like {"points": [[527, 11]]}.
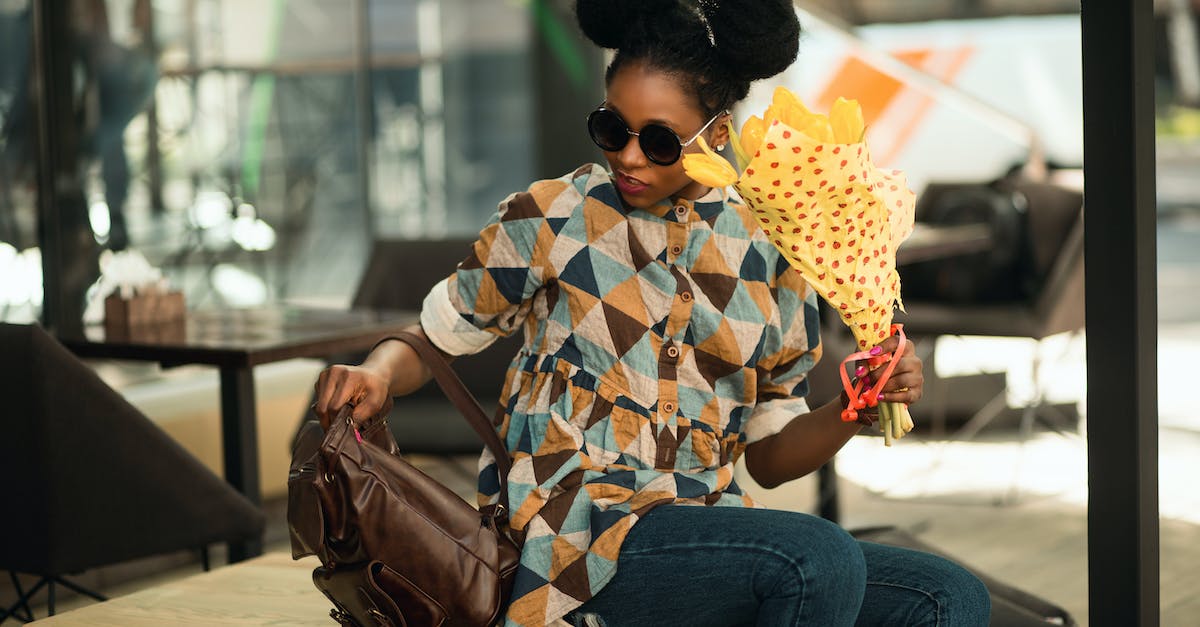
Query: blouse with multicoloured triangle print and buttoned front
{"points": [[658, 344]]}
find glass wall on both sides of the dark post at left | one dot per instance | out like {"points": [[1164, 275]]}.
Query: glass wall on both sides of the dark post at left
{"points": [[255, 150]]}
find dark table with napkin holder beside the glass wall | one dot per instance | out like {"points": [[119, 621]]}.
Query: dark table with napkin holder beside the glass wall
{"points": [[236, 341]]}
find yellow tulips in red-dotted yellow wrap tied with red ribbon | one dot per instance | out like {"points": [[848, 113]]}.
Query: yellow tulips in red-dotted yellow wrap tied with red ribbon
{"points": [[835, 216]]}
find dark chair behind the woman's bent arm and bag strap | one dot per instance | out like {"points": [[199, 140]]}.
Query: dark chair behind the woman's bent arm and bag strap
{"points": [[399, 276]]}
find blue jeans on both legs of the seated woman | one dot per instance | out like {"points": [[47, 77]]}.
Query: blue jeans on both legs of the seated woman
{"points": [[724, 566]]}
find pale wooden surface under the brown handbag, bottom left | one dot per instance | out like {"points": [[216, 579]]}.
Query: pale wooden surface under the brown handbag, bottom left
{"points": [[269, 590]]}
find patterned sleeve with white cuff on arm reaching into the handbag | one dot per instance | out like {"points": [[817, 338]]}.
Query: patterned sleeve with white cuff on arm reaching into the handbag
{"points": [[491, 292]]}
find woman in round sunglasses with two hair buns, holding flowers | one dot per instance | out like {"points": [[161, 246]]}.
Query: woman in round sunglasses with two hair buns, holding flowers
{"points": [[665, 337]]}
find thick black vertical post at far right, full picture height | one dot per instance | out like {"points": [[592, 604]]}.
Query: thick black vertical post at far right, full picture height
{"points": [[1123, 419]]}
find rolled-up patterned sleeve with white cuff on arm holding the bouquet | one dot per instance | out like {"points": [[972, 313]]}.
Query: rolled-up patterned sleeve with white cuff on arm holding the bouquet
{"points": [[794, 348]]}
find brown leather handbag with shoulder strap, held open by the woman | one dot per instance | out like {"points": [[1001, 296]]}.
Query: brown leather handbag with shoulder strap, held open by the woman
{"points": [[397, 547]]}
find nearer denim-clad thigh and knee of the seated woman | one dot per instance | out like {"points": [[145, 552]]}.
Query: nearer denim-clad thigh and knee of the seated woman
{"points": [[724, 566]]}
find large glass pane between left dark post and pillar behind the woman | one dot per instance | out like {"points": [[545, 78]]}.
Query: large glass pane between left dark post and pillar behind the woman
{"points": [[269, 168]]}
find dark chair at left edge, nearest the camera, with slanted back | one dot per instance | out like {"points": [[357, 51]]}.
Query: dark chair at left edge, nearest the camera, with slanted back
{"points": [[93, 482]]}
